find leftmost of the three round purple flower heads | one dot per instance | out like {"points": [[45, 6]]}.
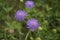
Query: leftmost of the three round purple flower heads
{"points": [[20, 15]]}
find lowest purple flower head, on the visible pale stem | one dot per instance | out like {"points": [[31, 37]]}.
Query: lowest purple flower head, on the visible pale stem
{"points": [[32, 24]]}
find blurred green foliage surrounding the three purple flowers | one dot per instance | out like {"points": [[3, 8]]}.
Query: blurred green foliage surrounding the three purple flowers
{"points": [[47, 12]]}
